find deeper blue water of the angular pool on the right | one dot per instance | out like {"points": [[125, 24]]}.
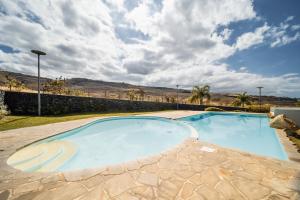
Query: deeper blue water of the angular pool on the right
{"points": [[250, 133]]}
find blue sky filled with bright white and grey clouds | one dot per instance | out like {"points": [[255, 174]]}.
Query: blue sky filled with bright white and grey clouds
{"points": [[232, 45]]}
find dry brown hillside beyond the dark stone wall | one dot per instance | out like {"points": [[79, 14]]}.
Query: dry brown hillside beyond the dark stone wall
{"points": [[98, 88]]}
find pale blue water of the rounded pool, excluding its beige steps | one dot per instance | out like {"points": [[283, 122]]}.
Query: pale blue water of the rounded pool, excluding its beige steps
{"points": [[116, 140]]}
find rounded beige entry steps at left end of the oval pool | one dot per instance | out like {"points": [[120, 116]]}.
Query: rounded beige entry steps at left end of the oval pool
{"points": [[43, 157]]}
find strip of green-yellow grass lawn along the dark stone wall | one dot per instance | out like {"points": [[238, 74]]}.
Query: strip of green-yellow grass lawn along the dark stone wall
{"points": [[13, 122]]}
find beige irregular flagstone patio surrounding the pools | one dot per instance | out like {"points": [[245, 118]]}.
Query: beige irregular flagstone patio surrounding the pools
{"points": [[184, 172]]}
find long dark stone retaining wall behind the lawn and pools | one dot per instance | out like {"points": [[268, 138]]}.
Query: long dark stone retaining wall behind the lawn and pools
{"points": [[21, 103]]}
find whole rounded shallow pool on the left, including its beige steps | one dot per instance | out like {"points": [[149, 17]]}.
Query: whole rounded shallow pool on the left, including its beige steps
{"points": [[101, 143]]}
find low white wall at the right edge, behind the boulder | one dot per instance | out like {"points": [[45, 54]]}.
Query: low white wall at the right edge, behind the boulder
{"points": [[292, 113]]}
